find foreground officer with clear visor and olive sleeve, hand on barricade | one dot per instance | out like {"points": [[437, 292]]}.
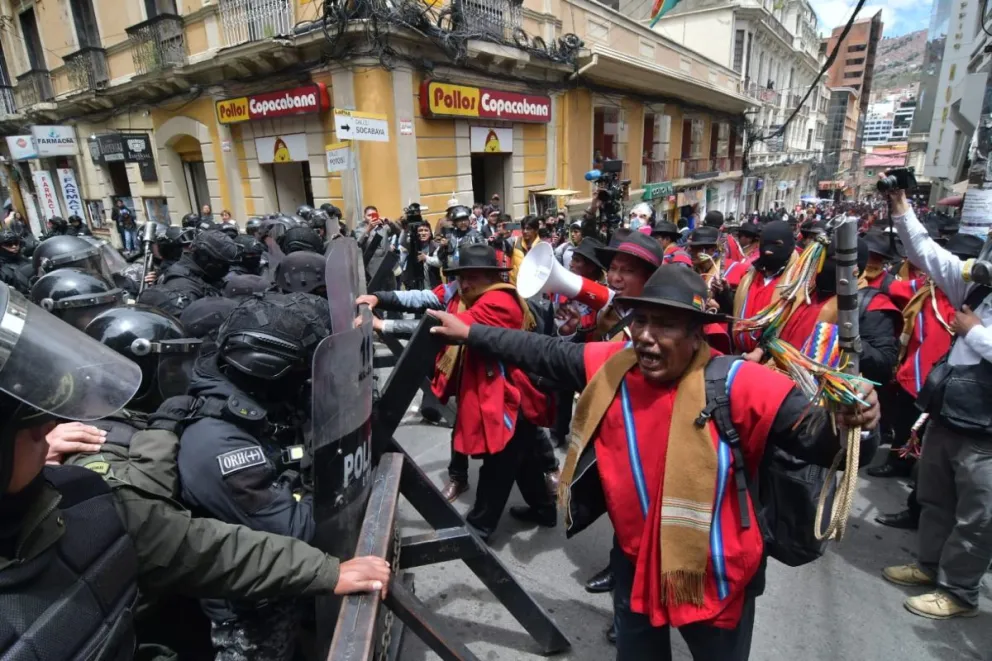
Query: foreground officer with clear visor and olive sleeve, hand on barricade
{"points": [[96, 542]]}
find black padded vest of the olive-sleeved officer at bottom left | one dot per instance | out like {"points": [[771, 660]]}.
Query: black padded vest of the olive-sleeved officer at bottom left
{"points": [[74, 600]]}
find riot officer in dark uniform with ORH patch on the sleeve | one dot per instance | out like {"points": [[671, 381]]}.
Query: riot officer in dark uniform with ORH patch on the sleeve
{"points": [[239, 458]]}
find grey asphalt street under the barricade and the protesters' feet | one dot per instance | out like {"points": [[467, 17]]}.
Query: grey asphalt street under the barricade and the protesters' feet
{"points": [[836, 608]]}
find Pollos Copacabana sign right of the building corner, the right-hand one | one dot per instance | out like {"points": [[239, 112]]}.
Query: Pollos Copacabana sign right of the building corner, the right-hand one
{"points": [[447, 100]]}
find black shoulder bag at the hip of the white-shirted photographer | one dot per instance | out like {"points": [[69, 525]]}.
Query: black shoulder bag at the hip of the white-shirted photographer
{"points": [[960, 396]]}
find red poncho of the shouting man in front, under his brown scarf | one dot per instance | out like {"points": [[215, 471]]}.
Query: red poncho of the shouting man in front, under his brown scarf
{"points": [[756, 395]]}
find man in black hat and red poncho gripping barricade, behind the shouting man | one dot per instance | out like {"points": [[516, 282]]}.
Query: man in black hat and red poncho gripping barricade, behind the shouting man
{"points": [[498, 406]]}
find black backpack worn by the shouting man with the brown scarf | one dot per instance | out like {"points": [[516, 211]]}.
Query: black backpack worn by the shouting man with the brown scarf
{"points": [[787, 489]]}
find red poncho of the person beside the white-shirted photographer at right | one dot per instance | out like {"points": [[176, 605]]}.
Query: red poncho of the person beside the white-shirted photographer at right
{"points": [[927, 342]]}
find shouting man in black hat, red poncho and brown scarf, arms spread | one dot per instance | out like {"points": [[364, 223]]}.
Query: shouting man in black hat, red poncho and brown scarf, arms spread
{"points": [[658, 470]]}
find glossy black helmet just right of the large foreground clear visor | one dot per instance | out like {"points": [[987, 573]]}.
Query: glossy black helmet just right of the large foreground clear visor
{"points": [[156, 342]]}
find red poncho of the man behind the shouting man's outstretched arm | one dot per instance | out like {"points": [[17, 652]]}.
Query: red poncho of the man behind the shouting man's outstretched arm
{"points": [[490, 394]]}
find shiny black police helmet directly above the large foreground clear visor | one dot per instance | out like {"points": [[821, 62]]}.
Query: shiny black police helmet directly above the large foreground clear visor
{"points": [[76, 296]]}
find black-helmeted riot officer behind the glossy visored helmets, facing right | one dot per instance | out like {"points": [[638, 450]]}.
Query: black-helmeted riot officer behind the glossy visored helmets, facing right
{"points": [[199, 273]]}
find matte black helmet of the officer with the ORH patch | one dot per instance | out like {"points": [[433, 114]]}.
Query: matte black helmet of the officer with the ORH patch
{"points": [[272, 338]]}
